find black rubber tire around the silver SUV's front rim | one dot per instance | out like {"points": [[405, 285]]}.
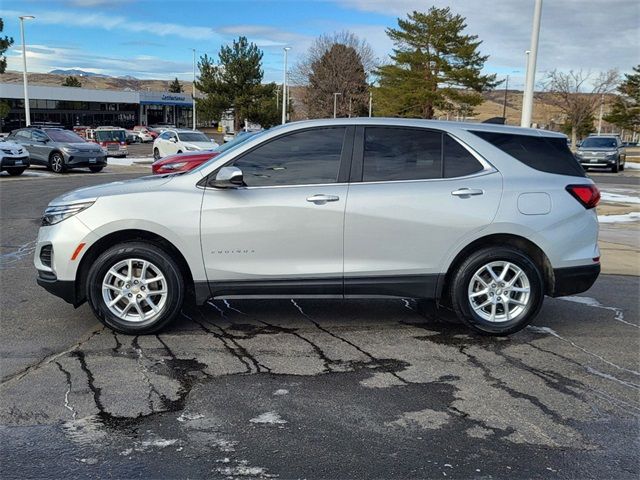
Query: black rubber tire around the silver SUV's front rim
{"points": [[143, 251]]}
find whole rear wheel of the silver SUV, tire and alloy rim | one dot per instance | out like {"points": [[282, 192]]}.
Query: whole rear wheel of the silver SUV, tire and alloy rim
{"points": [[497, 291]]}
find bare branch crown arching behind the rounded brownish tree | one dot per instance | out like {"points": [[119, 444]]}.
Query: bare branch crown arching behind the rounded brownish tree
{"points": [[302, 70]]}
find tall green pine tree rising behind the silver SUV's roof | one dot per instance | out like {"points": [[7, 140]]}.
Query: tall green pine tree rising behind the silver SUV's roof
{"points": [[436, 67]]}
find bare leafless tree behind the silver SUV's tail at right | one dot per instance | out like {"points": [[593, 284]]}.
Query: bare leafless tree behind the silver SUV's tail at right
{"points": [[578, 94]]}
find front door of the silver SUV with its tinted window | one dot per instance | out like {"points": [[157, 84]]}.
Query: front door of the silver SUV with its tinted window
{"points": [[282, 233]]}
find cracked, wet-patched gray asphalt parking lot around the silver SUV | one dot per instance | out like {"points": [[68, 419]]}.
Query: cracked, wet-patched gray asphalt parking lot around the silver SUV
{"points": [[310, 388]]}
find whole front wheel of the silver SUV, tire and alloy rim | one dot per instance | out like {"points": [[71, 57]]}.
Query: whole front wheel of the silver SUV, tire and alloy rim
{"points": [[135, 288]]}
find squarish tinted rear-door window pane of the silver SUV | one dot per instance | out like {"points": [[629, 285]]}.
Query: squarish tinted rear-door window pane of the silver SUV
{"points": [[401, 154]]}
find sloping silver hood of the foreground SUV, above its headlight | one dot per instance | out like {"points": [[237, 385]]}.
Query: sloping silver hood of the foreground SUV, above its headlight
{"points": [[88, 194]]}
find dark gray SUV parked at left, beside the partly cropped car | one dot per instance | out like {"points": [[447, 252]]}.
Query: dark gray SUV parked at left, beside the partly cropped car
{"points": [[60, 149]]}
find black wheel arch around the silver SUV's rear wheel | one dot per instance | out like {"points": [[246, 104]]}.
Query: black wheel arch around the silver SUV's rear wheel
{"points": [[523, 244]]}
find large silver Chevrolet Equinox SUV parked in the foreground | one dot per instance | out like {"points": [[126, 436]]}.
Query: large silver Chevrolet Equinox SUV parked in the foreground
{"points": [[483, 218]]}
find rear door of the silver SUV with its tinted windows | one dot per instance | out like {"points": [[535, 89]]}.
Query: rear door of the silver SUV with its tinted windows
{"points": [[415, 195]]}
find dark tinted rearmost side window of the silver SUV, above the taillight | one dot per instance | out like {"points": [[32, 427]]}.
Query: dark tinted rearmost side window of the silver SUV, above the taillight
{"points": [[547, 154]]}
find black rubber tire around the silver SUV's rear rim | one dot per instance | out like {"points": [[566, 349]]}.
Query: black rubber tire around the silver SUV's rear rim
{"points": [[459, 290]]}
